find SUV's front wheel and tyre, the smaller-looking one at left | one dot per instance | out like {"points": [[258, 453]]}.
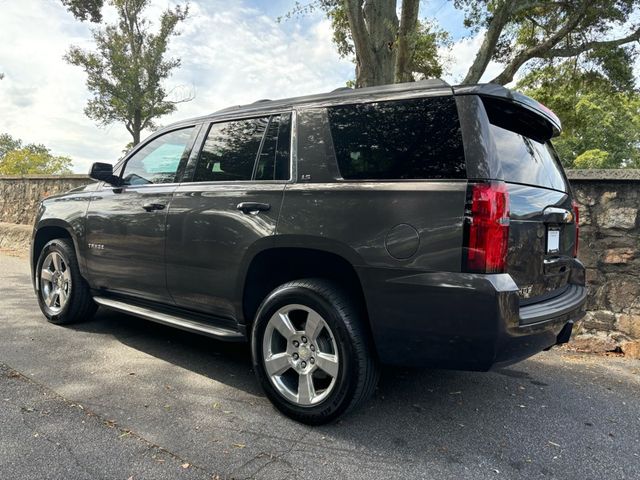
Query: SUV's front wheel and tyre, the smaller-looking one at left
{"points": [[73, 302]]}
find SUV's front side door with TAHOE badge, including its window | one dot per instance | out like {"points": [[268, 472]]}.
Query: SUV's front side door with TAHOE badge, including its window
{"points": [[125, 226]]}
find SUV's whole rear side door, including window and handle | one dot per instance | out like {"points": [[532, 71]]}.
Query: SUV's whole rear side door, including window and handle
{"points": [[228, 210]]}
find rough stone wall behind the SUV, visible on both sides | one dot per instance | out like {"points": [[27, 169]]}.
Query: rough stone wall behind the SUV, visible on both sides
{"points": [[609, 238]]}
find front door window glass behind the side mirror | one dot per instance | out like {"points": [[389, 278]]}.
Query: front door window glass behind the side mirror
{"points": [[158, 160]]}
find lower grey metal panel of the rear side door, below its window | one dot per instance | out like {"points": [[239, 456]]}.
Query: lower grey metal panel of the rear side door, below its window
{"points": [[208, 238]]}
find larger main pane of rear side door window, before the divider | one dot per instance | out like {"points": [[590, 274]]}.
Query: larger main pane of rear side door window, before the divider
{"points": [[230, 151]]}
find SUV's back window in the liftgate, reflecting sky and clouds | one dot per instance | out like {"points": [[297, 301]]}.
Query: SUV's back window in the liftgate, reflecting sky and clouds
{"points": [[525, 155]]}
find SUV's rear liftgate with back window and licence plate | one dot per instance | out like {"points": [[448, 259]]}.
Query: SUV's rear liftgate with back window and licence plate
{"points": [[542, 238]]}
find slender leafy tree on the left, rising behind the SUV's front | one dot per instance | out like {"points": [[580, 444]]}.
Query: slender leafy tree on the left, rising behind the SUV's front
{"points": [[126, 71]]}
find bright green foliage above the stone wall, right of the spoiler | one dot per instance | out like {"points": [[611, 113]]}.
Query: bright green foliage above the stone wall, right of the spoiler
{"points": [[601, 122]]}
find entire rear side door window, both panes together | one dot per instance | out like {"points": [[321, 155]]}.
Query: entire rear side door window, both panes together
{"points": [[251, 149]]}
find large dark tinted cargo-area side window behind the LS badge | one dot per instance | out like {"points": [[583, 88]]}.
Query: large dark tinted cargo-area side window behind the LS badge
{"points": [[408, 139]]}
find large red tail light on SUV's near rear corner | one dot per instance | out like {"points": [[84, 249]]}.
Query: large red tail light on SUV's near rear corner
{"points": [[486, 228]]}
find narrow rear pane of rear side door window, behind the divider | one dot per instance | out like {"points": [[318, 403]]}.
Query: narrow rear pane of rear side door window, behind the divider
{"points": [[273, 162]]}
